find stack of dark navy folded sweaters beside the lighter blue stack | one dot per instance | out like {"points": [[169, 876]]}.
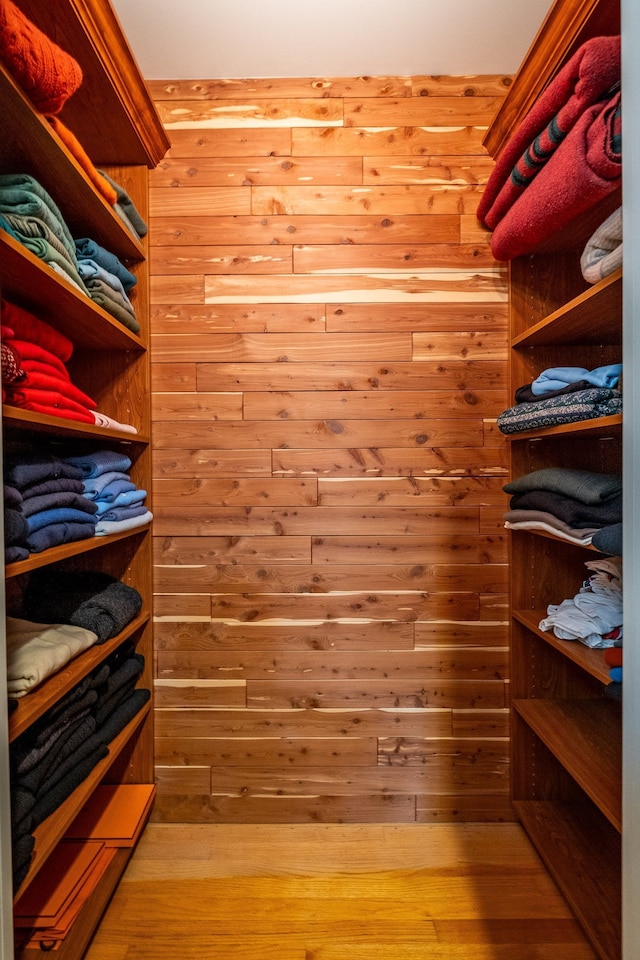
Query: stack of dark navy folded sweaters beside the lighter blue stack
{"points": [[45, 505]]}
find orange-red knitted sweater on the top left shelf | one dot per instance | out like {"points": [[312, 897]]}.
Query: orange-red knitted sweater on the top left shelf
{"points": [[46, 72]]}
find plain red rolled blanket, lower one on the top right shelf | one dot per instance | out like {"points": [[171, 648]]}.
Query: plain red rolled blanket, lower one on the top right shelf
{"points": [[583, 171]]}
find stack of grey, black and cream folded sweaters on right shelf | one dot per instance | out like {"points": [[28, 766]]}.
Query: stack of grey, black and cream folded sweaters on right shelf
{"points": [[580, 506]]}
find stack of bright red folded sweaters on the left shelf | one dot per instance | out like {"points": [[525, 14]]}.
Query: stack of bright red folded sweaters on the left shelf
{"points": [[40, 380]]}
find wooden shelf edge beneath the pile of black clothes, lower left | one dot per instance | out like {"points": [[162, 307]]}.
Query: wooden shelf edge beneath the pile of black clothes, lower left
{"points": [[50, 831]]}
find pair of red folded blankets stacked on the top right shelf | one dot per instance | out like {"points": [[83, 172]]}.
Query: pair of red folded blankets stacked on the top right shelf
{"points": [[563, 158]]}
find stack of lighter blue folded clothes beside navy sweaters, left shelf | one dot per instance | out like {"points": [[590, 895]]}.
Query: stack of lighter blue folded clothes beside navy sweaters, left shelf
{"points": [[118, 502]]}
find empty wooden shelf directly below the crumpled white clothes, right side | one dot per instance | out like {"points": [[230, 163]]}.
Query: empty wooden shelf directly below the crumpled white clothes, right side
{"points": [[585, 736]]}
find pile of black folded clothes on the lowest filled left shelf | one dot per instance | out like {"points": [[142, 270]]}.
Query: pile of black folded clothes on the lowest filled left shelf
{"points": [[58, 752]]}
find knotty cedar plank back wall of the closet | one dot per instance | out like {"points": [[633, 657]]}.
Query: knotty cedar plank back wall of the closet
{"points": [[328, 358]]}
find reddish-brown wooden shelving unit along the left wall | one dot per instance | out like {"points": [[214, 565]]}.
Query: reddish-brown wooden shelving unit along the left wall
{"points": [[113, 117]]}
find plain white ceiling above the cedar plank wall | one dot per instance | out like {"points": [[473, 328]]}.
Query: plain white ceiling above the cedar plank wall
{"points": [[219, 39]]}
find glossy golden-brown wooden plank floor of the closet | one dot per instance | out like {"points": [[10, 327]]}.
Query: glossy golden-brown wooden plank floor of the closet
{"points": [[337, 892]]}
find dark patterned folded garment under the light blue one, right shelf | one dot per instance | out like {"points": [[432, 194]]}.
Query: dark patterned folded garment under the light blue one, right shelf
{"points": [[568, 408]]}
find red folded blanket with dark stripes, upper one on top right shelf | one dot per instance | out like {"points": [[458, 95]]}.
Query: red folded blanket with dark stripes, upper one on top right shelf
{"points": [[584, 80]]}
